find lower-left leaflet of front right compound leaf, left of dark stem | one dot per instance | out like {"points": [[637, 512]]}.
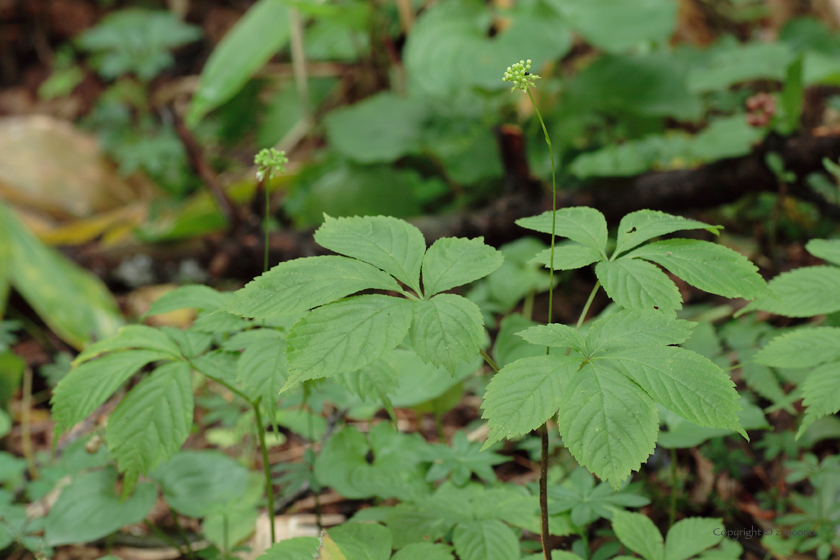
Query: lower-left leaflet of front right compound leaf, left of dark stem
{"points": [[526, 393]]}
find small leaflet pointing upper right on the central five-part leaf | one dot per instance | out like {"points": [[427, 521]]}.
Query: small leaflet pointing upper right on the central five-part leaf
{"points": [[454, 261]]}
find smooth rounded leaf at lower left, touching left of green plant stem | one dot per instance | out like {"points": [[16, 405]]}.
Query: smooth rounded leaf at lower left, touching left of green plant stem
{"points": [[196, 482]]}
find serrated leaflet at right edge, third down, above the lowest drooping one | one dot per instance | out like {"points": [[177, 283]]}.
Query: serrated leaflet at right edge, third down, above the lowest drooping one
{"points": [[803, 348]]}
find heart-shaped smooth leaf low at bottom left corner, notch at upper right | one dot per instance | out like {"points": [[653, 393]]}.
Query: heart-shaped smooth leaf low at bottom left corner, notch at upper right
{"points": [[89, 509]]}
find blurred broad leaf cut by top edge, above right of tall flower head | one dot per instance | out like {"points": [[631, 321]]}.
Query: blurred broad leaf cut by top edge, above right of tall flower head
{"points": [[615, 25]]}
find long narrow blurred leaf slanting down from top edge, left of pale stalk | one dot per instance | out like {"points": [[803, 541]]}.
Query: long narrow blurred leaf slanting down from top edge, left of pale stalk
{"points": [[252, 41]]}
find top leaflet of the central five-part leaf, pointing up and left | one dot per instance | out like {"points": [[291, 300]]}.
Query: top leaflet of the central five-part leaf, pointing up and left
{"points": [[392, 245]]}
